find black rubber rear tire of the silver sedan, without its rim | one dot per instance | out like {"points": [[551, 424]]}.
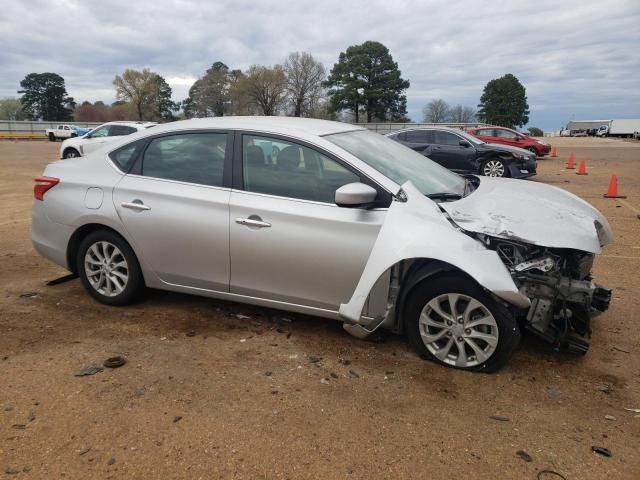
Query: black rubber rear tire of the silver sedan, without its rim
{"points": [[134, 285]]}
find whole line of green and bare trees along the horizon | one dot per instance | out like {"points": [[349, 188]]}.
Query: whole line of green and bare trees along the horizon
{"points": [[365, 84]]}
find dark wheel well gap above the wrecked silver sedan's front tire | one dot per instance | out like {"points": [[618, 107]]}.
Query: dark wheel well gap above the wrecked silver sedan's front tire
{"points": [[415, 272]]}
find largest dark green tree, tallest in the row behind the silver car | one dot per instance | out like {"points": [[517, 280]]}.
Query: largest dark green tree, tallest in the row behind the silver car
{"points": [[367, 78]]}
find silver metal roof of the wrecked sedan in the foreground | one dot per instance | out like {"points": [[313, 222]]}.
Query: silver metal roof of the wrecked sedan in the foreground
{"points": [[282, 125]]}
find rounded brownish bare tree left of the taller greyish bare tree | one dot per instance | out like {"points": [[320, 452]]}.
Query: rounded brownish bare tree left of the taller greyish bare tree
{"points": [[266, 88]]}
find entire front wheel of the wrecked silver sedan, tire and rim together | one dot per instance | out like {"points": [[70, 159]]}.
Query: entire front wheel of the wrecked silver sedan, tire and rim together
{"points": [[422, 319]]}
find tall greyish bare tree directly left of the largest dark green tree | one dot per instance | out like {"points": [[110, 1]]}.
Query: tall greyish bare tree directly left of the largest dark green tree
{"points": [[305, 76]]}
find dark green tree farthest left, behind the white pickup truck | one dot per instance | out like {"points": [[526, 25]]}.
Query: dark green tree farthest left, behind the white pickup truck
{"points": [[45, 97]]}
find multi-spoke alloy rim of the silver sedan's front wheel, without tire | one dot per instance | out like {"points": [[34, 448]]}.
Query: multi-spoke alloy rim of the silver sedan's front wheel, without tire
{"points": [[458, 330]]}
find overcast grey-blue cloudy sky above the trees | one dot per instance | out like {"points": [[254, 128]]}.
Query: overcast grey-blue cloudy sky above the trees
{"points": [[576, 59]]}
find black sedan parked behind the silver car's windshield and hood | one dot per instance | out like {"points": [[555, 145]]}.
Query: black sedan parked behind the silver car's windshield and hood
{"points": [[464, 153]]}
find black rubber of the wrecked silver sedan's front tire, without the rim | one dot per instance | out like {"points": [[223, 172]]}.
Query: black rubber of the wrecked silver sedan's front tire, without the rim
{"points": [[508, 332]]}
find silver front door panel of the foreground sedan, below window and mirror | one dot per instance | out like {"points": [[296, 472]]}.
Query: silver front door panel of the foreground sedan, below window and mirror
{"points": [[311, 254]]}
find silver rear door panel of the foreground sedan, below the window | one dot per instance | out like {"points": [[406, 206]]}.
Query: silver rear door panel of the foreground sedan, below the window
{"points": [[184, 236]]}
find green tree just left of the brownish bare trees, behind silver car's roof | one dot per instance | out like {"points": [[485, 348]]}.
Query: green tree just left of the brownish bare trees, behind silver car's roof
{"points": [[209, 96]]}
